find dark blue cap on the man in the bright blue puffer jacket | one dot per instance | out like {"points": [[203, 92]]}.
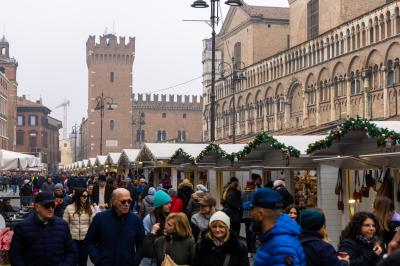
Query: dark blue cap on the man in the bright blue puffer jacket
{"points": [[266, 198]]}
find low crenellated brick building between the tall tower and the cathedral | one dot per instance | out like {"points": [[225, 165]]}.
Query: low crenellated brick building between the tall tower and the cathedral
{"points": [[176, 119]]}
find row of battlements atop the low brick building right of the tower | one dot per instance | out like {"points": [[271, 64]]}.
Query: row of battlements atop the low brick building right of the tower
{"points": [[171, 99]]}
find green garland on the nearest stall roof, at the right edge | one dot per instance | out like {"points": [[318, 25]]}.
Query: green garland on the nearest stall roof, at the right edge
{"points": [[382, 135]]}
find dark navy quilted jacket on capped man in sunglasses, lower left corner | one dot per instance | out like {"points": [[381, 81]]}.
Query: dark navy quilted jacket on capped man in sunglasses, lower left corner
{"points": [[37, 244]]}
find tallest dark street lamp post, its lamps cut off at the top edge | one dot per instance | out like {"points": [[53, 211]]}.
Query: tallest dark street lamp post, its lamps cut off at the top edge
{"points": [[213, 20]]}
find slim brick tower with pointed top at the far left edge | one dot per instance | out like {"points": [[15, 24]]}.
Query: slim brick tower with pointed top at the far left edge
{"points": [[8, 66]]}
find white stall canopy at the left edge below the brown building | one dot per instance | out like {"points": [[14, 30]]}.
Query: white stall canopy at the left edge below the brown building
{"points": [[10, 160]]}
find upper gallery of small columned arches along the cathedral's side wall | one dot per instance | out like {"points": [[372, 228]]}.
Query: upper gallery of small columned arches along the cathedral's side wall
{"points": [[365, 31]]}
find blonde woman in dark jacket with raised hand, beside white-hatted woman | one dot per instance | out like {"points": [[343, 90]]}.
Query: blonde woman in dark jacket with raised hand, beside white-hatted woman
{"points": [[177, 241]]}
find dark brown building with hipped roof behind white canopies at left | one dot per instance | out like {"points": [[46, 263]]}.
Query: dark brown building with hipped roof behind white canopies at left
{"points": [[38, 133]]}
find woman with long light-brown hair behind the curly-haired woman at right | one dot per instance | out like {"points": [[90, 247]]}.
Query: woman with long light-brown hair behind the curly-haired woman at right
{"points": [[384, 212]]}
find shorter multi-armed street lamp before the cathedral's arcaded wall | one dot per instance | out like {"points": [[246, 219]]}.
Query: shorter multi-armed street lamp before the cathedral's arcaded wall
{"points": [[236, 76]]}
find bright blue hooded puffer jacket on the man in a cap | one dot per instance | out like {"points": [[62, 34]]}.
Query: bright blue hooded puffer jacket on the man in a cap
{"points": [[280, 245]]}
